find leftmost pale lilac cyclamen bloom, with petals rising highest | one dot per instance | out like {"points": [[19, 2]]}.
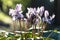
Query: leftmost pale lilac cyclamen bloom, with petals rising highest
{"points": [[17, 13]]}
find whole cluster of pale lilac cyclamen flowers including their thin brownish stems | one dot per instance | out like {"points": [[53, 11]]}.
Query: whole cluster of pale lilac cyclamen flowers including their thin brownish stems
{"points": [[34, 16]]}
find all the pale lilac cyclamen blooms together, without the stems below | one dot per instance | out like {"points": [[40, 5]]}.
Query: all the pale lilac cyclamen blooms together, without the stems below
{"points": [[33, 14]]}
